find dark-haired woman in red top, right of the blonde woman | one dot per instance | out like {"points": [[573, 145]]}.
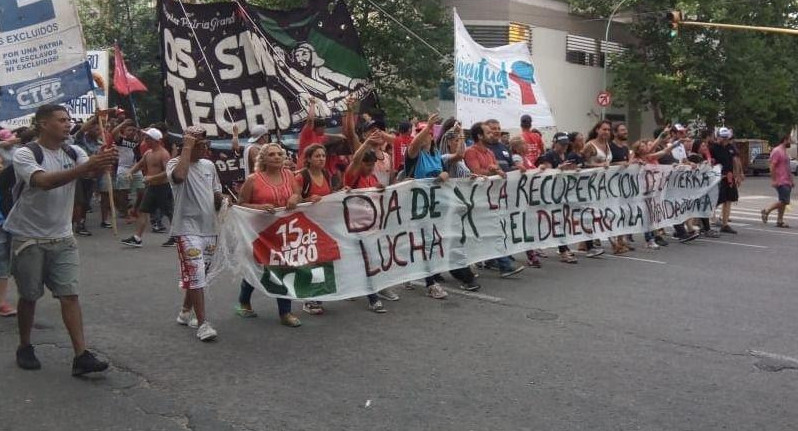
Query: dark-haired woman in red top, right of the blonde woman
{"points": [[314, 183]]}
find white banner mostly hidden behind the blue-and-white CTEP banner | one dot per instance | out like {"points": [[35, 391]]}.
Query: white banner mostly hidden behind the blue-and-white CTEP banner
{"points": [[83, 107]]}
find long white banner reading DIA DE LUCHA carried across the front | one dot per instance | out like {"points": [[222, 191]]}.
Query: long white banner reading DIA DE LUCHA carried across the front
{"points": [[358, 242]]}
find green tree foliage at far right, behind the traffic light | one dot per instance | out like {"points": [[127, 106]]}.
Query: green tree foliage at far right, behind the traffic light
{"points": [[743, 78]]}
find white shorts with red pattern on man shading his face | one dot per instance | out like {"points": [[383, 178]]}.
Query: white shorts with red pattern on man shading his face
{"points": [[195, 253]]}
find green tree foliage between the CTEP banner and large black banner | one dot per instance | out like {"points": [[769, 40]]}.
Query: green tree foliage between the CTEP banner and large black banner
{"points": [[133, 24]]}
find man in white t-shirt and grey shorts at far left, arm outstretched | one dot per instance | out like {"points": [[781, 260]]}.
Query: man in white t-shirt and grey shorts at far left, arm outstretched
{"points": [[44, 252]]}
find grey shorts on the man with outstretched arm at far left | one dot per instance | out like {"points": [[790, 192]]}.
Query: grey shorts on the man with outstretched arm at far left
{"points": [[39, 263]]}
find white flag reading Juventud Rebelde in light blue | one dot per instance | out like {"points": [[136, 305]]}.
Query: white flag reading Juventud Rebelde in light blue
{"points": [[498, 83]]}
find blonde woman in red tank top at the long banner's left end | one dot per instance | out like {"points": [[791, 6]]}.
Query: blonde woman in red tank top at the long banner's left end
{"points": [[272, 186]]}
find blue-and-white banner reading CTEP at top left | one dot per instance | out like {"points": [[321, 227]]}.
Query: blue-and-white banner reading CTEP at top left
{"points": [[42, 53]]}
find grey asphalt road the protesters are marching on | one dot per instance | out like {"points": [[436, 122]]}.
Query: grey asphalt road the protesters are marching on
{"points": [[690, 337]]}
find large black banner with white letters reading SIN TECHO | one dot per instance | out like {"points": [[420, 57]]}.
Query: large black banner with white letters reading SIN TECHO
{"points": [[225, 64]]}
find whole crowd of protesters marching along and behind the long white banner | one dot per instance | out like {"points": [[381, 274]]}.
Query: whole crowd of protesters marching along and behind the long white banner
{"points": [[60, 168]]}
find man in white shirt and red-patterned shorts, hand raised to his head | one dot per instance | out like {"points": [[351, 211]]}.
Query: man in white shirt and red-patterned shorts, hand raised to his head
{"points": [[197, 193]]}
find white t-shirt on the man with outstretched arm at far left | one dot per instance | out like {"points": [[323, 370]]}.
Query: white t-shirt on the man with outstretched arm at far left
{"points": [[38, 213]]}
